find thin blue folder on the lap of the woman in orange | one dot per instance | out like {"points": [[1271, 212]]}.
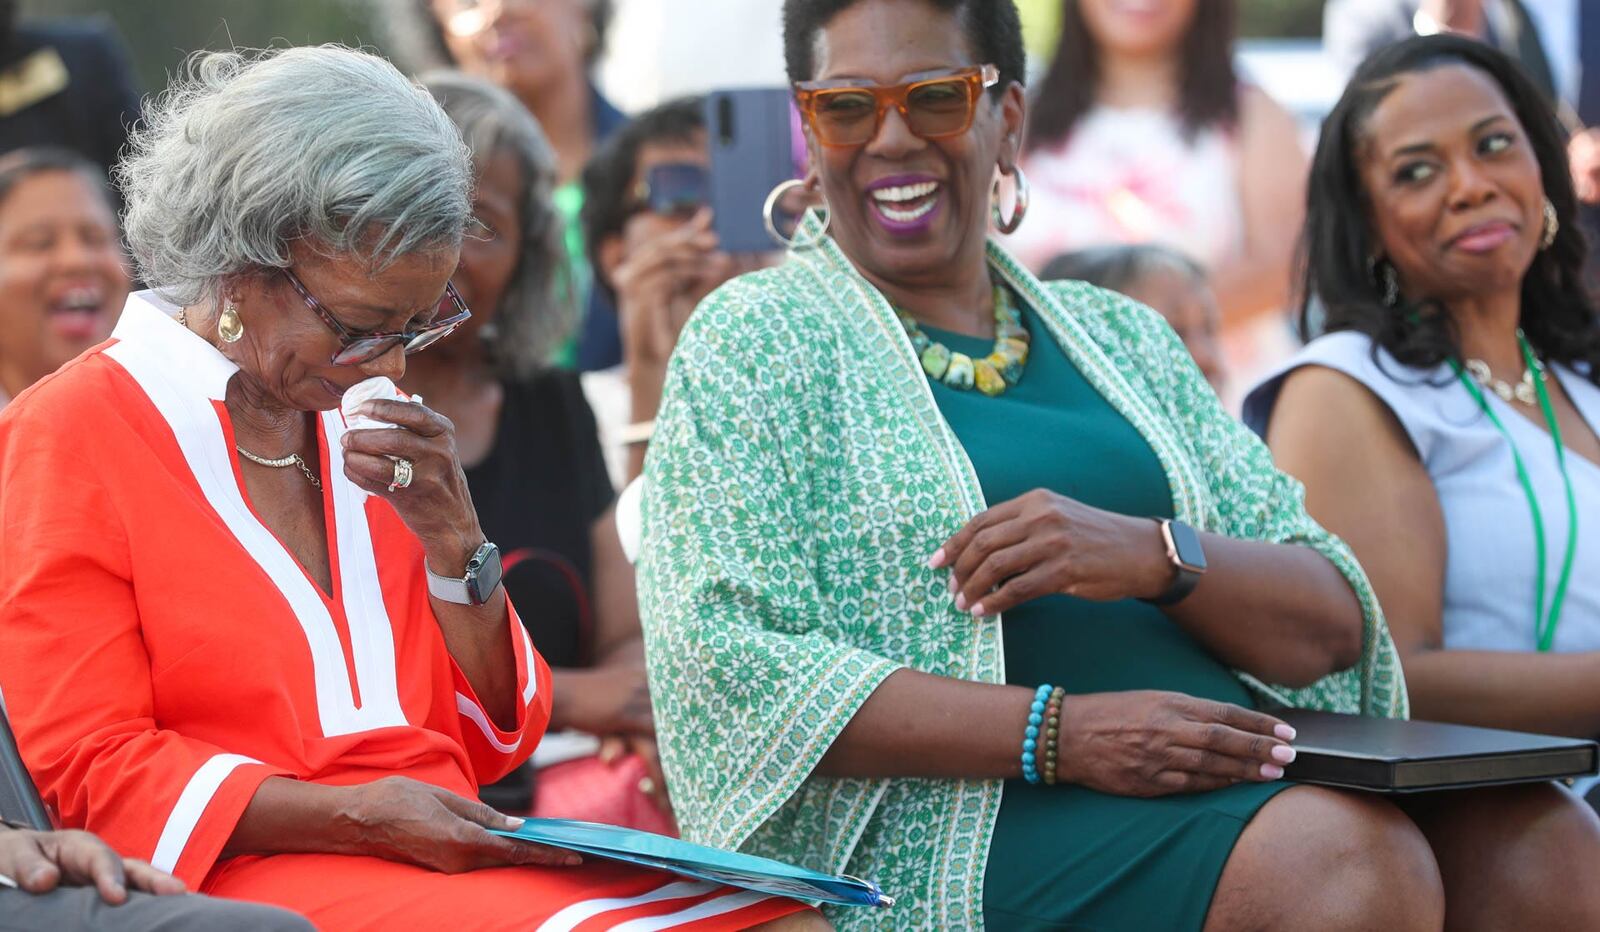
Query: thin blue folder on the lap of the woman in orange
{"points": [[700, 862]]}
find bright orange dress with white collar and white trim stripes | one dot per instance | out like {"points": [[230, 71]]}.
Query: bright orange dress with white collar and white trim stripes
{"points": [[164, 654]]}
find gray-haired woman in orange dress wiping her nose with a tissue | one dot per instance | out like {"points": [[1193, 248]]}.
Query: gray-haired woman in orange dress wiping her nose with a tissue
{"points": [[254, 630]]}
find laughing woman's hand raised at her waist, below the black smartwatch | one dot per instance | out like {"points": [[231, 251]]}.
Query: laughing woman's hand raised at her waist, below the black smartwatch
{"points": [[1042, 544]]}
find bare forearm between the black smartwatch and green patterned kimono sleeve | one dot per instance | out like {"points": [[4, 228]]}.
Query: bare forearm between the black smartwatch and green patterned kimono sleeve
{"points": [[1281, 613]]}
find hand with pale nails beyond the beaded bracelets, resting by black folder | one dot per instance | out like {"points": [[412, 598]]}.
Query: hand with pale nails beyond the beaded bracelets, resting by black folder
{"points": [[1158, 744]]}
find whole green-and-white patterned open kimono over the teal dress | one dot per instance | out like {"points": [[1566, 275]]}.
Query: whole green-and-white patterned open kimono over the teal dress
{"points": [[799, 478]]}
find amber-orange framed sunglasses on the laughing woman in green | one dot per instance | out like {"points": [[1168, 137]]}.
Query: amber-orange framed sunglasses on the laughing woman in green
{"points": [[844, 113]]}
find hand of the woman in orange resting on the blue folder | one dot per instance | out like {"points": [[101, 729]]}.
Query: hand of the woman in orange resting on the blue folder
{"points": [[412, 822]]}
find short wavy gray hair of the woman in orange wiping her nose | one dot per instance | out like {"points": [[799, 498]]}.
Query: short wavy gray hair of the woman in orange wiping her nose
{"points": [[254, 151]]}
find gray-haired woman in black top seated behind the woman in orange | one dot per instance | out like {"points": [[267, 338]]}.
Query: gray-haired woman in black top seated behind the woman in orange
{"points": [[532, 454]]}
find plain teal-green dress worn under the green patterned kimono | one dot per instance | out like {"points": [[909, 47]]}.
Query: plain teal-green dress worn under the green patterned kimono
{"points": [[1132, 864]]}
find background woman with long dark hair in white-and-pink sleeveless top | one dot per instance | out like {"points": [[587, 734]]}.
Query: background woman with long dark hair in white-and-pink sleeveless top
{"points": [[1142, 134]]}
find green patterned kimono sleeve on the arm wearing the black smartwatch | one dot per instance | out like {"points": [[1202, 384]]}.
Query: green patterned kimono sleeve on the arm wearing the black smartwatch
{"points": [[1250, 497]]}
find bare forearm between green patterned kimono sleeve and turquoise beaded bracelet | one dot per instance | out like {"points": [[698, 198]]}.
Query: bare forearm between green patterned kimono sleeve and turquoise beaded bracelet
{"points": [[918, 725]]}
